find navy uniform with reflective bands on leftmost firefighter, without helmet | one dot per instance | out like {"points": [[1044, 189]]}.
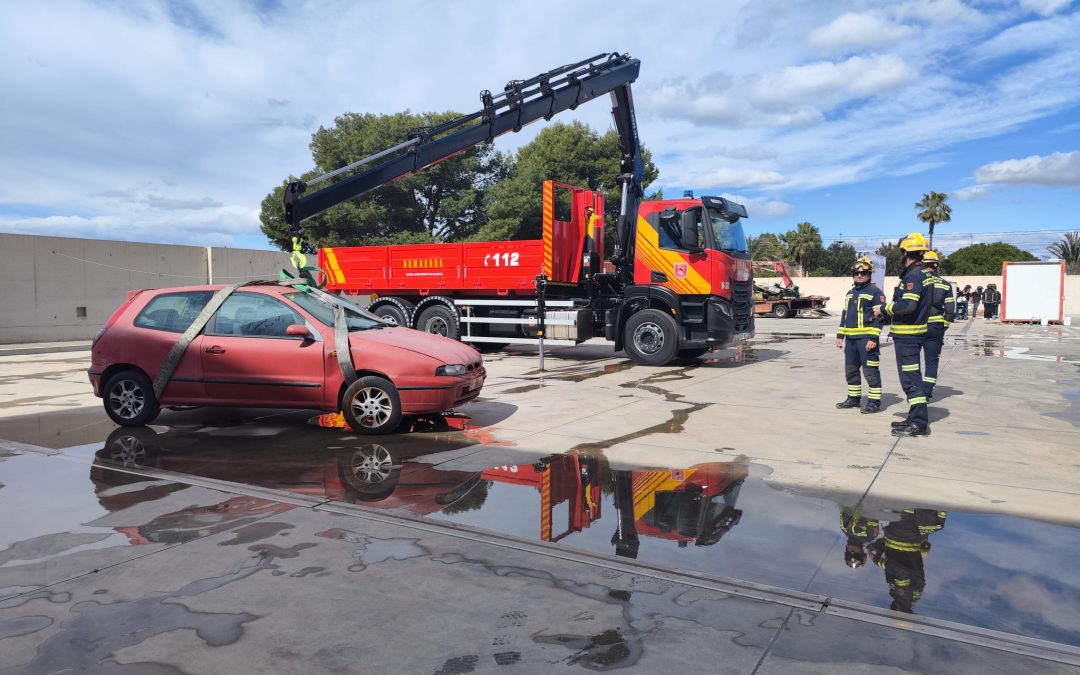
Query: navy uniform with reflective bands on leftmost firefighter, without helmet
{"points": [[858, 327]]}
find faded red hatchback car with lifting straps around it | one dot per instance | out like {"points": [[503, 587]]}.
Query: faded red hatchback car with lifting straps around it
{"points": [[273, 346]]}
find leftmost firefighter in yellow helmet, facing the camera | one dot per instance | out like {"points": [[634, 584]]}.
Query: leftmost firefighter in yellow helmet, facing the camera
{"points": [[859, 336]]}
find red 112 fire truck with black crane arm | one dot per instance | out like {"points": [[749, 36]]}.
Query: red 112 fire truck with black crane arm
{"points": [[679, 283]]}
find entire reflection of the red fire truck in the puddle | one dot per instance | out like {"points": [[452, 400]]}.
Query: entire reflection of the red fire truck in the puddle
{"points": [[683, 505]]}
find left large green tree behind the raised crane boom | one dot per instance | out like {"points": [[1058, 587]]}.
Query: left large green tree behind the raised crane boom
{"points": [[444, 202]]}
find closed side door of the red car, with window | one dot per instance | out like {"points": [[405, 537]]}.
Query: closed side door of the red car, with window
{"points": [[249, 360]]}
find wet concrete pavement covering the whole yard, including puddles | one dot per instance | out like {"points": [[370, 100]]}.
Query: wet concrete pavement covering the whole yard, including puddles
{"points": [[597, 516]]}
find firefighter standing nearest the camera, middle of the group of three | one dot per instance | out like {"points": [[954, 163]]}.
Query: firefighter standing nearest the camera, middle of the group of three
{"points": [[910, 312]]}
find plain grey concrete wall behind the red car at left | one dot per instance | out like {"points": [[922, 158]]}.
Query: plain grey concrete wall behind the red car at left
{"points": [[61, 289]]}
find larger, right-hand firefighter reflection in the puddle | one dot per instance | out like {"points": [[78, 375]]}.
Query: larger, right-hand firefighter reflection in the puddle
{"points": [[901, 552]]}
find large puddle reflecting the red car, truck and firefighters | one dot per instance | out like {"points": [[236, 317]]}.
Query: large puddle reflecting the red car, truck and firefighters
{"points": [[719, 518]]}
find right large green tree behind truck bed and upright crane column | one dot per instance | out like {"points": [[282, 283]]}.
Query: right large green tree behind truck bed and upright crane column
{"points": [[573, 154]]}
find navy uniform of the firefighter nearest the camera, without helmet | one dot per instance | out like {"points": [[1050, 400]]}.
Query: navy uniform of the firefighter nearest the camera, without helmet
{"points": [[911, 314]]}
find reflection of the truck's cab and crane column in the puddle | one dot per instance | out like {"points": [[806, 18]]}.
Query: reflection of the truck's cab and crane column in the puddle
{"points": [[685, 505]]}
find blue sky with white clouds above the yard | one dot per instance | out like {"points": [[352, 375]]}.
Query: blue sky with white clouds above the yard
{"points": [[171, 121]]}
